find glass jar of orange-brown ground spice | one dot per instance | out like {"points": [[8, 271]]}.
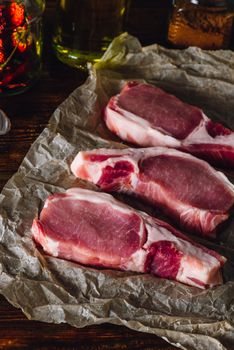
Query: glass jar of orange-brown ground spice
{"points": [[203, 23]]}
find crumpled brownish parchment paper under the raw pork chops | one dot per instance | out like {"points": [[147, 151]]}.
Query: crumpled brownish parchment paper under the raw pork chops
{"points": [[54, 290]]}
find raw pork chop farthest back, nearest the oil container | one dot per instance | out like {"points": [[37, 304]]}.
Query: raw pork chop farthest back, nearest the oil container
{"points": [[147, 116]]}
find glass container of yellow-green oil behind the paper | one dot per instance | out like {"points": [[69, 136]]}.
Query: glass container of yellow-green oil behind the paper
{"points": [[85, 28]]}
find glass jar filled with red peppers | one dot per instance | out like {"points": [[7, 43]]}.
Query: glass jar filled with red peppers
{"points": [[20, 44]]}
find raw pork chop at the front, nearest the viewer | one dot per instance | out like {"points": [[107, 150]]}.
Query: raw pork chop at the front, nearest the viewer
{"points": [[95, 229]]}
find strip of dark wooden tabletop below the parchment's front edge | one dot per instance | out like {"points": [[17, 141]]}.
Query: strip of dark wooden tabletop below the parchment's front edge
{"points": [[18, 332]]}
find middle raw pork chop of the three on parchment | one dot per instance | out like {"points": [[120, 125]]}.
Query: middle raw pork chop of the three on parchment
{"points": [[185, 188]]}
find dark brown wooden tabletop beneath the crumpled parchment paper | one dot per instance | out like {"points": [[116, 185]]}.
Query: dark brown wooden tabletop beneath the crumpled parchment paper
{"points": [[29, 114]]}
